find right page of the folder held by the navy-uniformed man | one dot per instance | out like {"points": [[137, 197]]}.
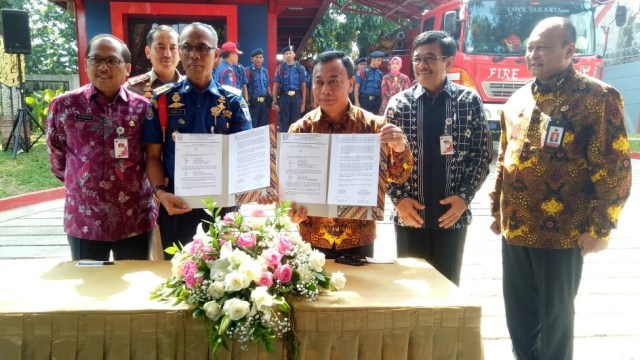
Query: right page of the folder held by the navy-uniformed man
{"points": [[249, 160]]}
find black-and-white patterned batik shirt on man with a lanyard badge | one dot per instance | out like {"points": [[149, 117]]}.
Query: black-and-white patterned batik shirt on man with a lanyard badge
{"points": [[468, 165]]}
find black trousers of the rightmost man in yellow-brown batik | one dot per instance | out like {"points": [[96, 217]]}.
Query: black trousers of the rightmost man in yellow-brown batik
{"points": [[540, 286]]}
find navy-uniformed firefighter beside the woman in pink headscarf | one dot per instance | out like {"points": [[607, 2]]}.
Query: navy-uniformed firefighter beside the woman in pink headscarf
{"points": [[367, 92]]}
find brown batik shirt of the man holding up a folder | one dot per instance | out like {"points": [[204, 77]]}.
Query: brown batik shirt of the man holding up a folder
{"points": [[394, 167]]}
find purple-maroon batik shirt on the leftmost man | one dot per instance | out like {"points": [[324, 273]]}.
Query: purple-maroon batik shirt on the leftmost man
{"points": [[106, 198]]}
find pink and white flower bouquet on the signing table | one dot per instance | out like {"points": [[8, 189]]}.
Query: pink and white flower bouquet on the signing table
{"points": [[241, 276]]}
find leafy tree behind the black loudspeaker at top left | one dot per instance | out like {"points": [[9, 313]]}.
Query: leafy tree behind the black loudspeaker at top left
{"points": [[54, 50]]}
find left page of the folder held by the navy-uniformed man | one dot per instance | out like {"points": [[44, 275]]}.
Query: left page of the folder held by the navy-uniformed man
{"points": [[198, 169]]}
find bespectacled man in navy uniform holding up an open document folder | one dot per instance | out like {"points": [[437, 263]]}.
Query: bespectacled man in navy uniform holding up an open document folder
{"points": [[196, 104]]}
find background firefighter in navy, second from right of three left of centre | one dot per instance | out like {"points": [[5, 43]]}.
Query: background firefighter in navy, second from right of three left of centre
{"points": [[258, 88]]}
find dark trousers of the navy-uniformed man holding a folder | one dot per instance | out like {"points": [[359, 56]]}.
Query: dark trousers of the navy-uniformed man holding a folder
{"points": [[181, 228]]}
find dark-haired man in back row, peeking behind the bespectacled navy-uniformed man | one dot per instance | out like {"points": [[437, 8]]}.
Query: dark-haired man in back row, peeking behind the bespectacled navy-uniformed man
{"points": [[162, 51]]}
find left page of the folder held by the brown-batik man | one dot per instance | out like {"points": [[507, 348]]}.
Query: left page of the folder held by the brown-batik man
{"points": [[302, 167]]}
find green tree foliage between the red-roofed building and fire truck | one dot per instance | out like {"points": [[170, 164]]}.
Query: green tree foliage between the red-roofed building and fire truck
{"points": [[339, 30]]}
